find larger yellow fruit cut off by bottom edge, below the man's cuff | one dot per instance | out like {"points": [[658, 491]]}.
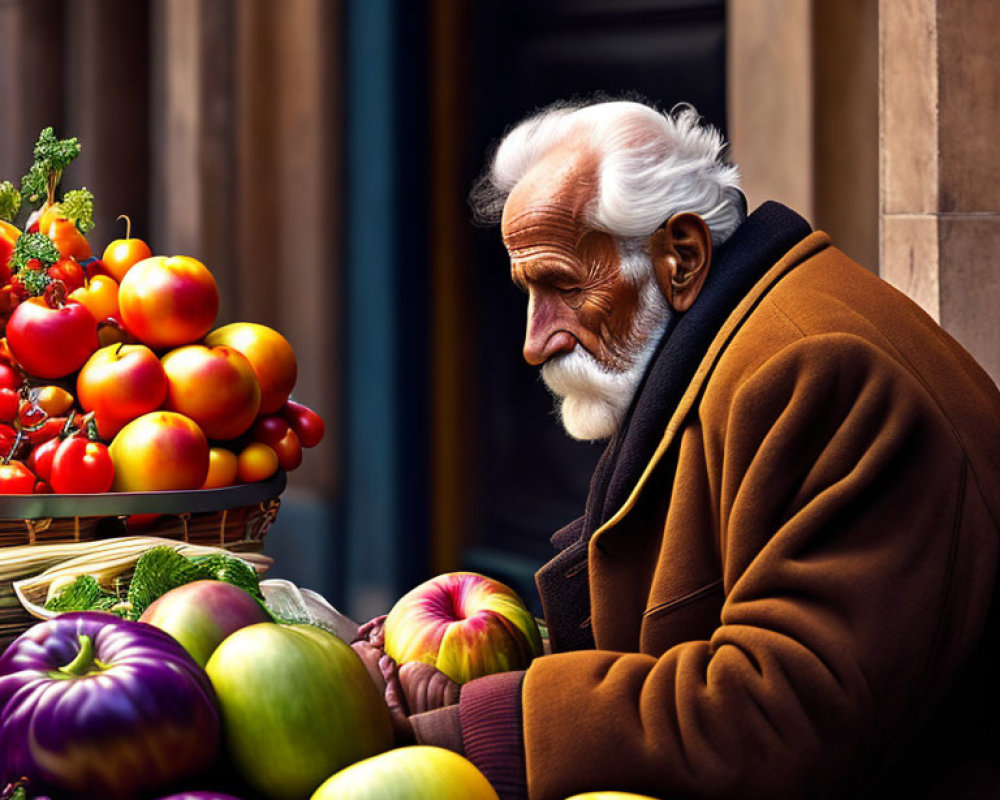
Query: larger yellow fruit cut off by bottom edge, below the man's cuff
{"points": [[409, 773]]}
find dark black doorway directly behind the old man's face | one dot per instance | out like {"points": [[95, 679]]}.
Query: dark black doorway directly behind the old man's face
{"points": [[524, 477]]}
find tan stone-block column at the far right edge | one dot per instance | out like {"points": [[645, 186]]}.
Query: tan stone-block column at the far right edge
{"points": [[939, 172]]}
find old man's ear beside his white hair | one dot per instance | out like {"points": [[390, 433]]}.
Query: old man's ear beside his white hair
{"points": [[681, 249]]}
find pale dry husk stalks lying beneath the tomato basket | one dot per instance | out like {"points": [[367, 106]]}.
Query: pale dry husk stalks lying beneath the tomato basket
{"points": [[33, 574]]}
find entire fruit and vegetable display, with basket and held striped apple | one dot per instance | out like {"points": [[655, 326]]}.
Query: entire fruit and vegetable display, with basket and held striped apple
{"points": [[144, 654]]}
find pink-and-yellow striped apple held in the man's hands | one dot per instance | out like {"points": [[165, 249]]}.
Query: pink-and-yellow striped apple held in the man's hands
{"points": [[465, 624]]}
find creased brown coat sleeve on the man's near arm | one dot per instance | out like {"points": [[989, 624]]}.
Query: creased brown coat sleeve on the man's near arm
{"points": [[839, 491]]}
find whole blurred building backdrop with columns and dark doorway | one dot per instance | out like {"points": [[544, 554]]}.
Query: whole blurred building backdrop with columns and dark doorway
{"points": [[316, 155]]}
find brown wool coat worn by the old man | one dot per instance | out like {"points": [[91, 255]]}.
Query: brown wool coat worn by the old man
{"points": [[802, 578]]}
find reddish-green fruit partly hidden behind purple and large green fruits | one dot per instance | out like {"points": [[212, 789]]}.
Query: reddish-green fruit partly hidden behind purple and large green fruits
{"points": [[201, 614]]}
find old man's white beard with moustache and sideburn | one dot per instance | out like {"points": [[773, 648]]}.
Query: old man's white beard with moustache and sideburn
{"points": [[593, 399]]}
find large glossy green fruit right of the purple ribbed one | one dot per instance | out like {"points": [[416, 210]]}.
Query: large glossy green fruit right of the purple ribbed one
{"points": [[297, 705]]}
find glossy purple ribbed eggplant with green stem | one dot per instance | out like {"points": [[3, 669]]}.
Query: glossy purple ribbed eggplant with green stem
{"points": [[96, 706]]}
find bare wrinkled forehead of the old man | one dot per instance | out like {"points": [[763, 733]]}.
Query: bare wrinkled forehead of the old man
{"points": [[554, 194]]}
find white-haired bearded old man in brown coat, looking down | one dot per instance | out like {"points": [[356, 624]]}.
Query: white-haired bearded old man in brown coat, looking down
{"points": [[781, 586]]}
